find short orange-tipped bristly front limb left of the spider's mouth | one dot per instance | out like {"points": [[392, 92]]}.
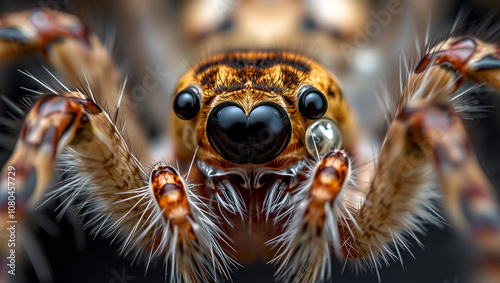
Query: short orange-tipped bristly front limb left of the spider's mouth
{"points": [[192, 237]]}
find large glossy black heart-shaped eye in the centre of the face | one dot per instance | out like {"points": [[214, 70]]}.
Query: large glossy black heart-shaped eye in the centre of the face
{"points": [[257, 138]]}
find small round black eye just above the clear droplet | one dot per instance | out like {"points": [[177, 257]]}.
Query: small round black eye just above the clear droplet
{"points": [[312, 104]]}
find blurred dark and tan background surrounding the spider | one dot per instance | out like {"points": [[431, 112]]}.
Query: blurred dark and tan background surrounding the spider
{"points": [[150, 32]]}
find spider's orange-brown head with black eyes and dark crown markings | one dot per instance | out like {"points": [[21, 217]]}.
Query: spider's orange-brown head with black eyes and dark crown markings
{"points": [[255, 108]]}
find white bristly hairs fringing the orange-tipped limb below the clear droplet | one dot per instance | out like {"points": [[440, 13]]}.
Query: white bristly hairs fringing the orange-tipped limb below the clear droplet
{"points": [[303, 253]]}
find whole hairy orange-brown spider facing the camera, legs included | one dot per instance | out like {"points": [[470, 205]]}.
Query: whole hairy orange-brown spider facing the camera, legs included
{"points": [[263, 140]]}
